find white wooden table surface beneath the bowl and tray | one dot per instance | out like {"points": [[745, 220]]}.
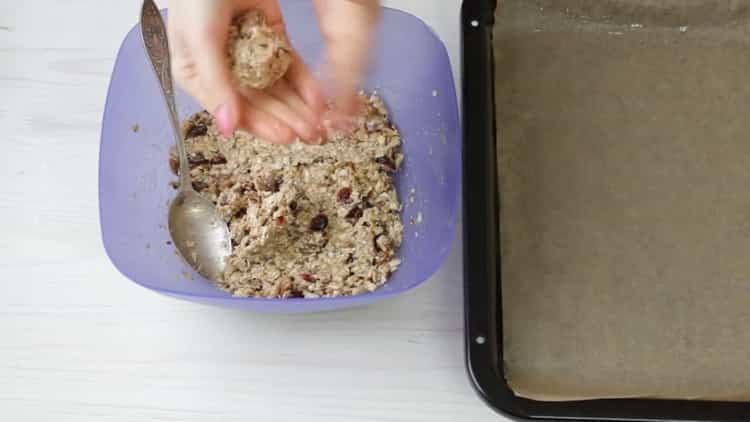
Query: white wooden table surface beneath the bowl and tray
{"points": [[79, 342]]}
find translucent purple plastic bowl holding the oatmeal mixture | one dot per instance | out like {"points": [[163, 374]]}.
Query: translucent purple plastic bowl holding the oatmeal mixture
{"points": [[411, 71]]}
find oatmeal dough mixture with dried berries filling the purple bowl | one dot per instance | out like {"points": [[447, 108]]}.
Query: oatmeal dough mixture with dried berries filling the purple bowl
{"points": [[306, 221]]}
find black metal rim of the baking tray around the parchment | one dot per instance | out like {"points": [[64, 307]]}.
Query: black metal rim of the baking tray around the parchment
{"points": [[483, 284]]}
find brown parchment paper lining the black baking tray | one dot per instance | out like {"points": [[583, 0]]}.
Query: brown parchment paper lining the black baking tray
{"points": [[624, 131]]}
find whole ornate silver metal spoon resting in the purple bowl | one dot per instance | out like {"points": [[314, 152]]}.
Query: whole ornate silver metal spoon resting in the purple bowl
{"points": [[197, 230]]}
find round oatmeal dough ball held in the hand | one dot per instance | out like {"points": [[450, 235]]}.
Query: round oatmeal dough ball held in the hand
{"points": [[258, 55]]}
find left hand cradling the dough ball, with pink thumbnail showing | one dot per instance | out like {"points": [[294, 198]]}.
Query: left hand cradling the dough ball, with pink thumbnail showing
{"points": [[198, 32]]}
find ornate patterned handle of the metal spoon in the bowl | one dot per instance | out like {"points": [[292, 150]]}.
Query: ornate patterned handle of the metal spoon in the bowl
{"points": [[155, 40]]}
